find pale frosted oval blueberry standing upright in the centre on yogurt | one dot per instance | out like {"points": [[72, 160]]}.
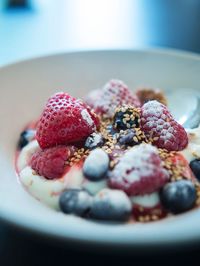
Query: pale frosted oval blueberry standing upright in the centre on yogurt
{"points": [[96, 165]]}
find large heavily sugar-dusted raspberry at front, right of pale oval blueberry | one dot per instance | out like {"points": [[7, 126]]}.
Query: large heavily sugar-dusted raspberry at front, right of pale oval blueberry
{"points": [[139, 171]]}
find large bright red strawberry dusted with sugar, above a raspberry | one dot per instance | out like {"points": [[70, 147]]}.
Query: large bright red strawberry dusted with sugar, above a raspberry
{"points": [[65, 120]]}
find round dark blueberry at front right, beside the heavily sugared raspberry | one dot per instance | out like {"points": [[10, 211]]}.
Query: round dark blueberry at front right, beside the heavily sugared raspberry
{"points": [[178, 196]]}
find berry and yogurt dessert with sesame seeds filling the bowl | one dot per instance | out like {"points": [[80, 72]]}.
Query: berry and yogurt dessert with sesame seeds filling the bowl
{"points": [[116, 156]]}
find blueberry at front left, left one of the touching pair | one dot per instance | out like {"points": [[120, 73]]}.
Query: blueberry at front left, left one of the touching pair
{"points": [[75, 201]]}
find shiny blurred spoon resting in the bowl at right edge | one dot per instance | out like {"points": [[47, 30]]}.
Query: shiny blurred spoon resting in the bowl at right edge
{"points": [[185, 106]]}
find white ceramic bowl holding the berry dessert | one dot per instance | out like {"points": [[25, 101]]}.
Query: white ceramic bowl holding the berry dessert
{"points": [[25, 87]]}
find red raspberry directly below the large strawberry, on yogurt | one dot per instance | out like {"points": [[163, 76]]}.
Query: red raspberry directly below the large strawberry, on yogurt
{"points": [[50, 162]]}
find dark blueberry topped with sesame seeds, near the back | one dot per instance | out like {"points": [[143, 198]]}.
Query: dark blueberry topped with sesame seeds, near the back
{"points": [[126, 117]]}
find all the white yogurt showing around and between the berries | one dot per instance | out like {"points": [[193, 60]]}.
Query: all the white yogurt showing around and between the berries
{"points": [[48, 191]]}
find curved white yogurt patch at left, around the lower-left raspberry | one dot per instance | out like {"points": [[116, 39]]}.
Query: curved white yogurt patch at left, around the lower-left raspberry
{"points": [[48, 190]]}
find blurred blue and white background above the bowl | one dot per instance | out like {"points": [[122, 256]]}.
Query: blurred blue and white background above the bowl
{"points": [[30, 28]]}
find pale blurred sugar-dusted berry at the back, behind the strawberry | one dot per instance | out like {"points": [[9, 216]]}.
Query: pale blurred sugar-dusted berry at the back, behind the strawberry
{"points": [[113, 94]]}
